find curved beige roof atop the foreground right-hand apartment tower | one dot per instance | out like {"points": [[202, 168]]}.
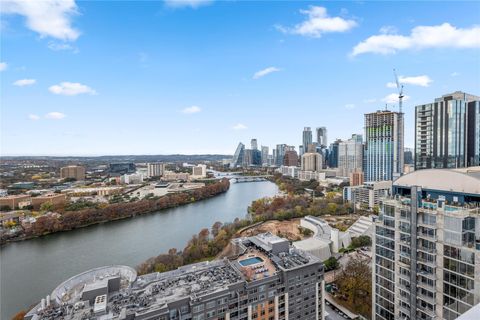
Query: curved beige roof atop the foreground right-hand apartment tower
{"points": [[454, 180]]}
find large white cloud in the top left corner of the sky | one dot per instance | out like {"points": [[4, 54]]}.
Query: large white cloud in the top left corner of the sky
{"points": [[49, 18]]}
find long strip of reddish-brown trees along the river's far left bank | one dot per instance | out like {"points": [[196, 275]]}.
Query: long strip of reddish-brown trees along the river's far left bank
{"points": [[70, 220]]}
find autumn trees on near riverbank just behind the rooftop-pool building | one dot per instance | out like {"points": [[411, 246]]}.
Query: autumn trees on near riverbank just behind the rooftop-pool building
{"points": [[207, 245]]}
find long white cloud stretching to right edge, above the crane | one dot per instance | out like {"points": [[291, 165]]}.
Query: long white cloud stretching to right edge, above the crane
{"points": [[421, 37]]}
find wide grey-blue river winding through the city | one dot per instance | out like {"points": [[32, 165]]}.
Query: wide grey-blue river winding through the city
{"points": [[29, 270]]}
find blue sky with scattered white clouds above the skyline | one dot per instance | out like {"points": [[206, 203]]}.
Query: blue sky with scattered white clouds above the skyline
{"points": [[153, 77]]}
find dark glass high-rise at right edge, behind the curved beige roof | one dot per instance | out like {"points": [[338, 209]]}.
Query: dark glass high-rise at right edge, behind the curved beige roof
{"points": [[447, 132]]}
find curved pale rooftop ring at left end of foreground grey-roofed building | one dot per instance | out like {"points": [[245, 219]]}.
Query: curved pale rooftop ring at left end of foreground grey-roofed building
{"points": [[71, 289]]}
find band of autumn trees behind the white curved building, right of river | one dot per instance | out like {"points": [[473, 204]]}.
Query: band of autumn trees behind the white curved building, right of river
{"points": [[289, 207]]}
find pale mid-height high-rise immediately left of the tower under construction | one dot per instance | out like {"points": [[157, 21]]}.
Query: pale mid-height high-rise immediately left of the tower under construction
{"points": [[350, 156]]}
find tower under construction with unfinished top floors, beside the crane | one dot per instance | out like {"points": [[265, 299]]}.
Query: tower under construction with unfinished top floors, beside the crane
{"points": [[383, 151]]}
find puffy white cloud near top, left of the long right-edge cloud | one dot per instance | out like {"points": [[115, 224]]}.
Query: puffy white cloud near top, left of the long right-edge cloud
{"points": [[318, 22]]}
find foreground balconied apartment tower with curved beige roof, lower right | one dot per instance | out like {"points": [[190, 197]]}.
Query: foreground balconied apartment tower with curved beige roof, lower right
{"points": [[427, 247]]}
